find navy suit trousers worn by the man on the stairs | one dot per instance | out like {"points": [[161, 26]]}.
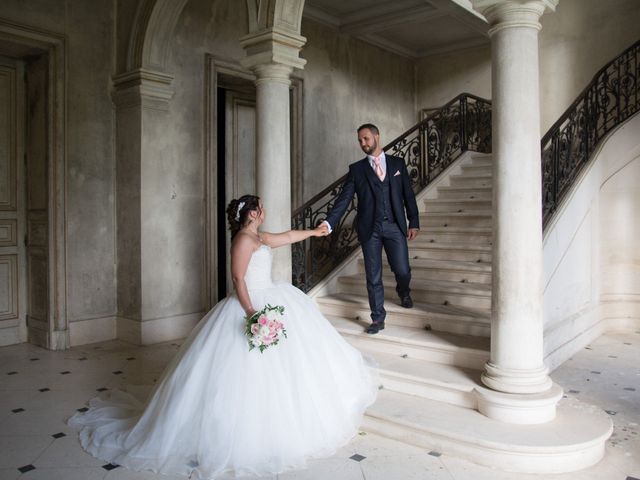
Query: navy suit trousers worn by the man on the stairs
{"points": [[386, 235]]}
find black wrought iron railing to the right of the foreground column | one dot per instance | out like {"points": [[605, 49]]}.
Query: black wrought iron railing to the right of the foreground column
{"points": [[612, 97]]}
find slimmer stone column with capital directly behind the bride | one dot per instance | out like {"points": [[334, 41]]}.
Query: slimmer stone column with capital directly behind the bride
{"points": [[272, 56]]}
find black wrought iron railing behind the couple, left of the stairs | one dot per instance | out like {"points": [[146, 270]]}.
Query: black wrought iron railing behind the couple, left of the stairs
{"points": [[428, 149]]}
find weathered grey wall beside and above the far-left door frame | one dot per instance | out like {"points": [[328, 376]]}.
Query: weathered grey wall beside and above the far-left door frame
{"points": [[89, 152]]}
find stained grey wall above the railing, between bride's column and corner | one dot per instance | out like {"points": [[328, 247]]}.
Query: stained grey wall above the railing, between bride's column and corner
{"points": [[348, 83]]}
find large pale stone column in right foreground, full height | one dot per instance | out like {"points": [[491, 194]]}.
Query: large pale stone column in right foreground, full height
{"points": [[516, 363]]}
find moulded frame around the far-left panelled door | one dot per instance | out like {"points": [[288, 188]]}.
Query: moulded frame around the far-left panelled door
{"points": [[30, 41]]}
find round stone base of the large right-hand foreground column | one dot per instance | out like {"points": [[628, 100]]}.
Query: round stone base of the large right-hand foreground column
{"points": [[520, 409]]}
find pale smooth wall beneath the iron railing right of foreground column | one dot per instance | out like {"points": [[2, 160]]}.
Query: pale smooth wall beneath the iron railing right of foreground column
{"points": [[591, 259]]}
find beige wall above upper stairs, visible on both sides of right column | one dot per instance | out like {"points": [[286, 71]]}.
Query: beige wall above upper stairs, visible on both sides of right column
{"points": [[576, 41]]}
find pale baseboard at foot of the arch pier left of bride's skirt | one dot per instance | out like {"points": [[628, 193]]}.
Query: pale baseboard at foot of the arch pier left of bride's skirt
{"points": [[157, 330]]}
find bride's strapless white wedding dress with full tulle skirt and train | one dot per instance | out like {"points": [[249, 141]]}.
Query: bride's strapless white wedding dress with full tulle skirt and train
{"points": [[220, 408]]}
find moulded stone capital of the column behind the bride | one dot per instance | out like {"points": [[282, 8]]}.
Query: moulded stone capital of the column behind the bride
{"points": [[272, 47]]}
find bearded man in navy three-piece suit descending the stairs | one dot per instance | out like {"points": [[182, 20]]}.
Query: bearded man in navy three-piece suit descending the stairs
{"points": [[381, 183]]}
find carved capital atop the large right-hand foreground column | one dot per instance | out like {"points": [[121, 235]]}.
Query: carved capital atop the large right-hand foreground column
{"points": [[503, 14]]}
